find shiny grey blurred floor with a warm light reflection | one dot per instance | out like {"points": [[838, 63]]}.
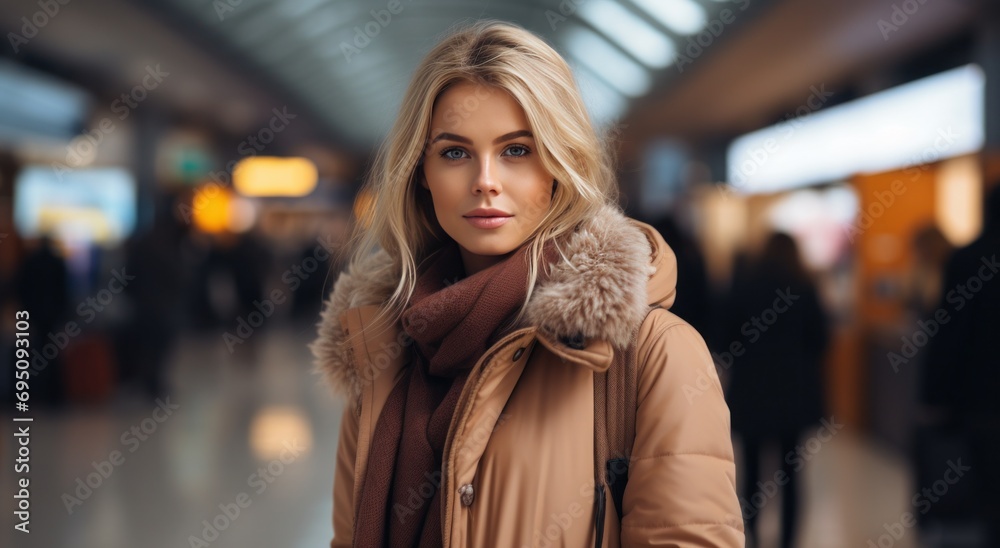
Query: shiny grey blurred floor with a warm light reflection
{"points": [[241, 454]]}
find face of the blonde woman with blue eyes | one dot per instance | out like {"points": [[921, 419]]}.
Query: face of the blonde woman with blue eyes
{"points": [[482, 155]]}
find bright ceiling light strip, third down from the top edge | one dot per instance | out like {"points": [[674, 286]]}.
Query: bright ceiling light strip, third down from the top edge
{"points": [[607, 61]]}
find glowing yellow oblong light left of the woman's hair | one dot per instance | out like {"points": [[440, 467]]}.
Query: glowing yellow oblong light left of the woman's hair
{"points": [[273, 176]]}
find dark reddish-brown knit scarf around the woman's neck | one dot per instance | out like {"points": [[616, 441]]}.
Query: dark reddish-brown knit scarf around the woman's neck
{"points": [[453, 321]]}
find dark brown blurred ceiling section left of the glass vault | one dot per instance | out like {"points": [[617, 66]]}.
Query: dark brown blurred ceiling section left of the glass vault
{"points": [[107, 46]]}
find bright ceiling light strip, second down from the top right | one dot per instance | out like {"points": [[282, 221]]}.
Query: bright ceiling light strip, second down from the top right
{"points": [[631, 32]]}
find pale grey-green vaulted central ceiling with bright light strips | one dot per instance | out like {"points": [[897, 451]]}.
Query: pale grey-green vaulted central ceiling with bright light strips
{"points": [[350, 61]]}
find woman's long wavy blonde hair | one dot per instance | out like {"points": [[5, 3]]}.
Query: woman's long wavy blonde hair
{"points": [[400, 218]]}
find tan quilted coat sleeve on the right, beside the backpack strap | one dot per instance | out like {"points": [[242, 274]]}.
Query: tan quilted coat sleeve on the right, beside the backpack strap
{"points": [[681, 490]]}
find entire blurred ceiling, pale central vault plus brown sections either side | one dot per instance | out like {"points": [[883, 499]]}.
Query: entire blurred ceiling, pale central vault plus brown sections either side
{"points": [[233, 61]]}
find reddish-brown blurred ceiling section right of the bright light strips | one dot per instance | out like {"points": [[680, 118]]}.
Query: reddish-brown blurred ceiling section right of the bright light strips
{"points": [[770, 68]]}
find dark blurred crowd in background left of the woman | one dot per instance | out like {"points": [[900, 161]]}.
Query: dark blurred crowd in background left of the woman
{"points": [[106, 321]]}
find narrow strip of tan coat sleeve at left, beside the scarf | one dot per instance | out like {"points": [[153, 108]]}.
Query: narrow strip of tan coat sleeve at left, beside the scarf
{"points": [[343, 482]]}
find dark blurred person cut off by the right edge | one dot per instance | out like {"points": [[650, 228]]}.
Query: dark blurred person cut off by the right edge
{"points": [[961, 383]]}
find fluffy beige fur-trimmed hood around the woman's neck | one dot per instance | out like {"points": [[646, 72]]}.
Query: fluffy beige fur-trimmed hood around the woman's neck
{"points": [[617, 268]]}
